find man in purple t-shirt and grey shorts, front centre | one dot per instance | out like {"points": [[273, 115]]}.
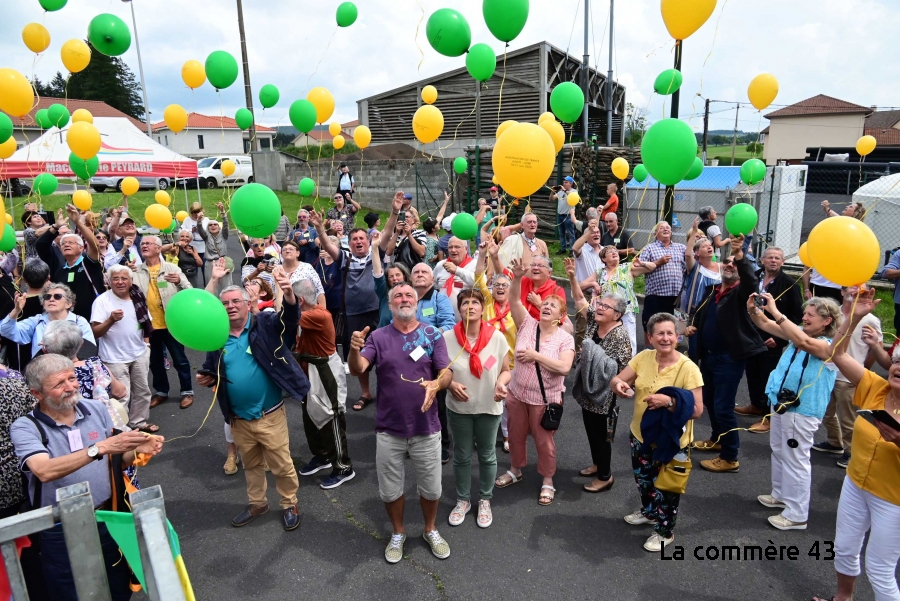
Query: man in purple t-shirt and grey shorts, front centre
{"points": [[412, 365]]}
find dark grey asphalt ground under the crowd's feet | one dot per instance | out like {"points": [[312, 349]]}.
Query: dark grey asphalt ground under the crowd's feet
{"points": [[577, 548]]}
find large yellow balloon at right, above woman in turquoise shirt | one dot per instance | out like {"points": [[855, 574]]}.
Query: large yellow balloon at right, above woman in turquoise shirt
{"points": [[844, 250]]}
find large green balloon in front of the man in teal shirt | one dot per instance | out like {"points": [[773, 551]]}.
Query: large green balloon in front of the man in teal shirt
{"points": [[198, 320]]}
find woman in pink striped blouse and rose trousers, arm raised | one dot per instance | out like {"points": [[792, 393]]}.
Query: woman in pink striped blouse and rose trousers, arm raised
{"points": [[525, 401]]}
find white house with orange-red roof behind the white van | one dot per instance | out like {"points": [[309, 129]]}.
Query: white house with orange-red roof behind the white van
{"points": [[207, 136]]}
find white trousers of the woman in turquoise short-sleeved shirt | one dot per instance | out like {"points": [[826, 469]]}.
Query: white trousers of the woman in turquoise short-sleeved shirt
{"points": [[791, 469]]}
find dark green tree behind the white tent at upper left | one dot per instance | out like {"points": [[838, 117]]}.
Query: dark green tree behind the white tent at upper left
{"points": [[108, 79]]}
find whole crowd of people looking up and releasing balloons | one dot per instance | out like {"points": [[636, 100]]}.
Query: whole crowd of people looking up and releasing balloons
{"points": [[470, 347]]}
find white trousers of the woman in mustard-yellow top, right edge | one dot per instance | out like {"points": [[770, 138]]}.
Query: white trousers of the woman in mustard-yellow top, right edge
{"points": [[860, 512]]}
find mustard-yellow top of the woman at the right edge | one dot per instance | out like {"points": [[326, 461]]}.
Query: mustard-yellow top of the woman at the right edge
{"points": [[874, 462]]}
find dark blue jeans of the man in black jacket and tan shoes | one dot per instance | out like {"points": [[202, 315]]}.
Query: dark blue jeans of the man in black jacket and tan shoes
{"points": [[721, 376]]}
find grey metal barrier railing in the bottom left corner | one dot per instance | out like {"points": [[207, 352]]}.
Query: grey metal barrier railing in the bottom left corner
{"points": [[75, 511]]}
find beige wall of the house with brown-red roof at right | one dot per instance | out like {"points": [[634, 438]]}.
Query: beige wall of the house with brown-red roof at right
{"points": [[789, 137]]}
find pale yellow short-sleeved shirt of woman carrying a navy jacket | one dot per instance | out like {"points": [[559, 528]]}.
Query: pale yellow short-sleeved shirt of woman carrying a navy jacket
{"points": [[684, 374]]}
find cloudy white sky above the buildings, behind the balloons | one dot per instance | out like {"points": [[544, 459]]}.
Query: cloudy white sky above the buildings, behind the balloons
{"points": [[843, 48]]}
